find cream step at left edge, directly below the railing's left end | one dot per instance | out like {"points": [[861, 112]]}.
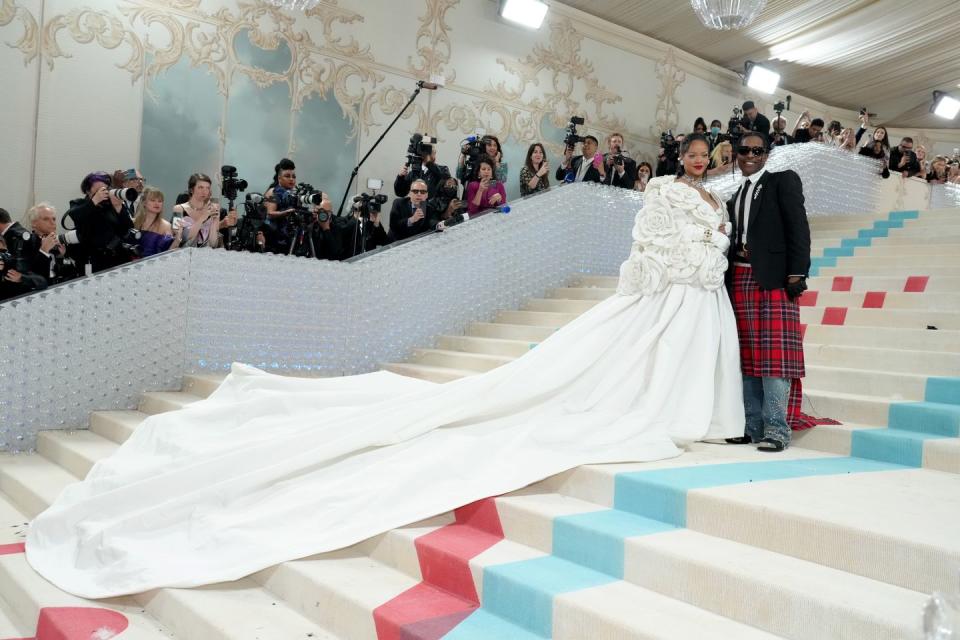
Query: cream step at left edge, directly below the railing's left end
{"points": [[32, 482]]}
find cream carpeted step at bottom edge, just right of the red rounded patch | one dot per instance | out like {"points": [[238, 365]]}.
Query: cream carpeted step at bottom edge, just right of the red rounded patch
{"points": [[240, 610]]}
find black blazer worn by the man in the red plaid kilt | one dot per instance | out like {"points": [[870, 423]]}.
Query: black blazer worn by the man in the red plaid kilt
{"points": [[778, 234]]}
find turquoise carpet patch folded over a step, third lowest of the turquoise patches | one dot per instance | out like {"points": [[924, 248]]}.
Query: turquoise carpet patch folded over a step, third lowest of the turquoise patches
{"points": [[595, 539]]}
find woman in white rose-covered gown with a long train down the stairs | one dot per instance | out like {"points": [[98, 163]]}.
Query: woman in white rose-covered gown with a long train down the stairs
{"points": [[269, 468]]}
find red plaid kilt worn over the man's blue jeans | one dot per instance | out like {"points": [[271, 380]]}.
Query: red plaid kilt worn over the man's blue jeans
{"points": [[768, 323]]}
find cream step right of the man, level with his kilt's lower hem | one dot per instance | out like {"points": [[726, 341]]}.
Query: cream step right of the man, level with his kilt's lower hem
{"points": [[928, 363]]}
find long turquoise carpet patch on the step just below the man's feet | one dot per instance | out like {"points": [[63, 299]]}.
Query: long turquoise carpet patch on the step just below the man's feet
{"points": [[662, 494]]}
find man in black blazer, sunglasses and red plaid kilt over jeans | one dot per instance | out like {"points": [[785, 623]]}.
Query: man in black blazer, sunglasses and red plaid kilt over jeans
{"points": [[770, 260]]}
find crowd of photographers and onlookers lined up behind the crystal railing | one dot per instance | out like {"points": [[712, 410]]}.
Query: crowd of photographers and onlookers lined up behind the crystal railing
{"points": [[119, 218]]}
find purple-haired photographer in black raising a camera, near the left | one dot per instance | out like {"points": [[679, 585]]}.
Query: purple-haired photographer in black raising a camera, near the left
{"points": [[104, 228]]}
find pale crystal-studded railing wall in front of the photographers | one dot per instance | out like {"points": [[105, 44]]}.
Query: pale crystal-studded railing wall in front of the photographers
{"points": [[98, 342]]}
